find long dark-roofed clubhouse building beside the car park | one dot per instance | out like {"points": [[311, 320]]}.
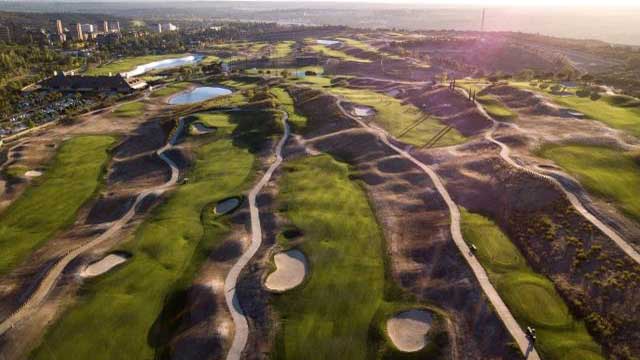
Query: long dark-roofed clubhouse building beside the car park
{"points": [[80, 83]]}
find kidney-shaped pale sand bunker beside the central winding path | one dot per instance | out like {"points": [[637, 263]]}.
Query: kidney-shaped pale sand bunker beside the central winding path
{"points": [[291, 268]]}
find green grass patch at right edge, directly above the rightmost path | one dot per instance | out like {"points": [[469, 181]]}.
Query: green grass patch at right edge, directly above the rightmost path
{"points": [[611, 174]]}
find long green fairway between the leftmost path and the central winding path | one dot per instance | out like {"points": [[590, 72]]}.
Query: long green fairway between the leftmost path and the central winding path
{"points": [[127, 313]]}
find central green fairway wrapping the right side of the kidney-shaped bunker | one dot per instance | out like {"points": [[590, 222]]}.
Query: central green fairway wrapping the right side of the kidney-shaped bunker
{"points": [[329, 316]]}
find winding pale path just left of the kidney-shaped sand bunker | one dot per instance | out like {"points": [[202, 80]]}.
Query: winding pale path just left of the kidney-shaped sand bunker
{"points": [[241, 333]]}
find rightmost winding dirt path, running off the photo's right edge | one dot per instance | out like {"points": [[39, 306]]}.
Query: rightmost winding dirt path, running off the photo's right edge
{"points": [[505, 154]]}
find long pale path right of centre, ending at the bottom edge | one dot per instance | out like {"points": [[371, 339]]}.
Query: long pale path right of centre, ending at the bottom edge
{"points": [[496, 301]]}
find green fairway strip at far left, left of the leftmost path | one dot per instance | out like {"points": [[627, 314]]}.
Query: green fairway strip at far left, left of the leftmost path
{"points": [[52, 202]]}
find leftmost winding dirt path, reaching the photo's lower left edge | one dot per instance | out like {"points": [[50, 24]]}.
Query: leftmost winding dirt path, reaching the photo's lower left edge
{"points": [[49, 281]]}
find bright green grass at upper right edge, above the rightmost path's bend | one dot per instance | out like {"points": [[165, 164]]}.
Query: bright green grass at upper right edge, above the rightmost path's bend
{"points": [[615, 111]]}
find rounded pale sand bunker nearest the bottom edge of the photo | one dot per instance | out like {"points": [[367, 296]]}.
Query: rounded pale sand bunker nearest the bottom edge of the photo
{"points": [[408, 330]]}
